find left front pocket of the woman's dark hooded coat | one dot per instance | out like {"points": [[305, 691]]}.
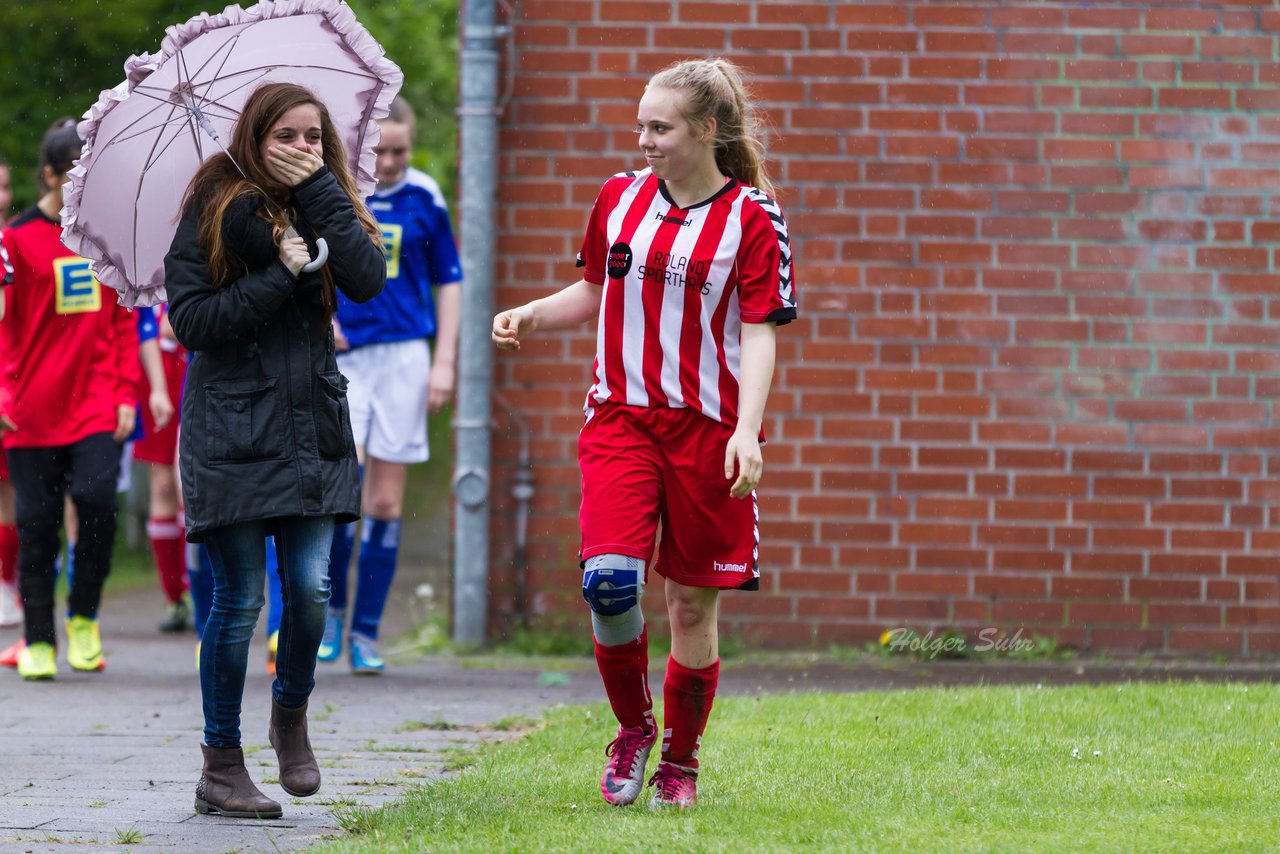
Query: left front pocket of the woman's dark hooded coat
{"points": [[244, 421]]}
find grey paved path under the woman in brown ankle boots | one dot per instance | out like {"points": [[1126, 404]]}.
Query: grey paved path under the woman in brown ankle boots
{"points": [[109, 761]]}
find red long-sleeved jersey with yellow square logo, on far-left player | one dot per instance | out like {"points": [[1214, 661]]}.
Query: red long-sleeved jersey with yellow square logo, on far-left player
{"points": [[71, 353]]}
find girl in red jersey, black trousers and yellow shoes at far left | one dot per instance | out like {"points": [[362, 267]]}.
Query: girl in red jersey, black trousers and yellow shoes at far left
{"points": [[67, 404]]}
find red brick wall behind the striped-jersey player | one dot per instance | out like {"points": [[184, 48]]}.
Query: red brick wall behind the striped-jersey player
{"points": [[1035, 380]]}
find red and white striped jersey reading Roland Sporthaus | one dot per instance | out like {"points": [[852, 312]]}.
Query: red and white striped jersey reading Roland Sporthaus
{"points": [[679, 285]]}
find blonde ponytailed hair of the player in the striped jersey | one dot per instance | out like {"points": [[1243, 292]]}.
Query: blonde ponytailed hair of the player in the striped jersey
{"points": [[715, 89]]}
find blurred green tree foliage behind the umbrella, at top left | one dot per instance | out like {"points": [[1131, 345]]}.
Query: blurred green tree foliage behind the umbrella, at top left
{"points": [[60, 56]]}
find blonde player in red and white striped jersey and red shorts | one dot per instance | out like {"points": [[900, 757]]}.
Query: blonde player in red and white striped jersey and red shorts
{"points": [[688, 267]]}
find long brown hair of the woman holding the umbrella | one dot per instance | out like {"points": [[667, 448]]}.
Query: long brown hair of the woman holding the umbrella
{"points": [[218, 184]]}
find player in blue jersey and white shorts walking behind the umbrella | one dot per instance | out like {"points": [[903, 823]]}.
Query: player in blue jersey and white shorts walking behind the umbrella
{"points": [[396, 380]]}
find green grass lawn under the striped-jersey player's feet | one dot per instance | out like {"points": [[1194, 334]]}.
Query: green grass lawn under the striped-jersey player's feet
{"points": [[1168, 766]]}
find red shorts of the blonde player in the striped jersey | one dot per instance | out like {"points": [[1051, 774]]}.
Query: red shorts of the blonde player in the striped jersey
{"points": [[644, 465]]}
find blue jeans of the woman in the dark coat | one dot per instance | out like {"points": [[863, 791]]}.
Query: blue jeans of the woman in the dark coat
{"points": [[239, 558]]}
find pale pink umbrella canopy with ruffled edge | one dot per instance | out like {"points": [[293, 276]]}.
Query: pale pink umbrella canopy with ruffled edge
{"points": [[145, 139]]}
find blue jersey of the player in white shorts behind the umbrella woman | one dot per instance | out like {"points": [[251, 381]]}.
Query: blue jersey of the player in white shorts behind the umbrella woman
{"points": [[420, 255]]}
